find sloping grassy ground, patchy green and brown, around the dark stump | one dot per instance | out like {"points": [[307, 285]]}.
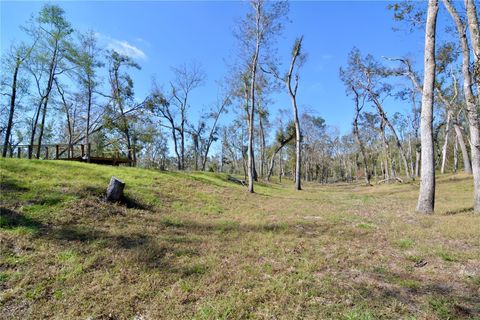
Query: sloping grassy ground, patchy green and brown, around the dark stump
{"points": [[195, 246]]}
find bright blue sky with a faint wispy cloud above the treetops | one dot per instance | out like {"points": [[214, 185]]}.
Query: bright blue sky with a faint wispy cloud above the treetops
{"points": [[163, 34]]}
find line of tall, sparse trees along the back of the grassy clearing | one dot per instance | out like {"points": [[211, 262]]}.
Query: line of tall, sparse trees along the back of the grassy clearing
{"points": [[62, 87]]}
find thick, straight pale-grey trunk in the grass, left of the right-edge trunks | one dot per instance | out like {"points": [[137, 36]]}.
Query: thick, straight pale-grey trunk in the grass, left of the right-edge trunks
{"points": [[426, 199]]}
